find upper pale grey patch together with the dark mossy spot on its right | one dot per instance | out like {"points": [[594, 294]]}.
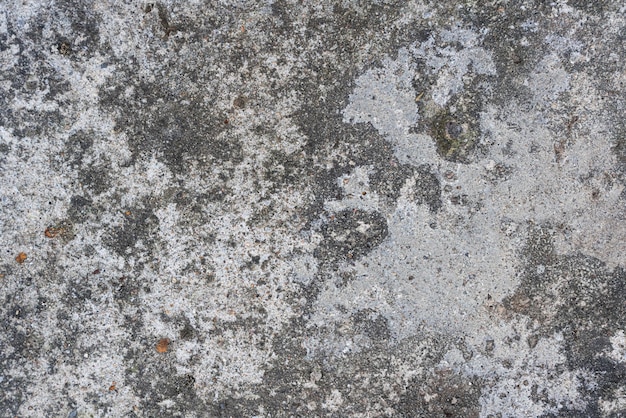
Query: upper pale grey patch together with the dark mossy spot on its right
{"points": [[387, 97]]}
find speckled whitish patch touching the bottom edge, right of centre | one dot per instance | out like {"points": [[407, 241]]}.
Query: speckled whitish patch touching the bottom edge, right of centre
{"points": [[522, 380]]}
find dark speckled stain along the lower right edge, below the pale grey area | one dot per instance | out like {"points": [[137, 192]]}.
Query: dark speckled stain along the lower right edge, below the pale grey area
{"points": [[589, 310]]}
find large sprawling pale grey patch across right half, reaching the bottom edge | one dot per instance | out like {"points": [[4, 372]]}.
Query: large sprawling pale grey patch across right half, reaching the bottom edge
{"points": [[440, 269]]}
